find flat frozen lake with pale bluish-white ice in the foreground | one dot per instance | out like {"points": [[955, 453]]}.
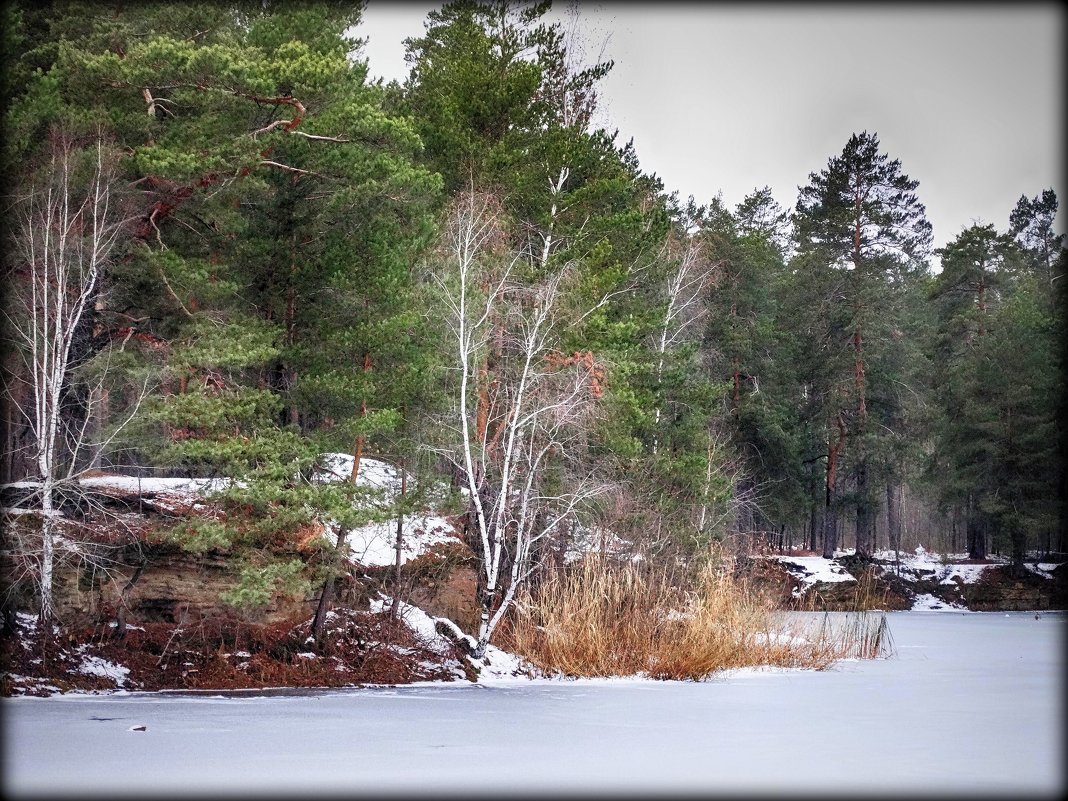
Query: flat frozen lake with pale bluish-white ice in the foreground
{"points": [[970, 704]]}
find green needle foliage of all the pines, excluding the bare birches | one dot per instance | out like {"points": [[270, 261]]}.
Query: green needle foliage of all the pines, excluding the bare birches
{"points": [[282, 212]]}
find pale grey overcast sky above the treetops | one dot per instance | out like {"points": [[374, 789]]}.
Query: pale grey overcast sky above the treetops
{"points": [[726, 98]]}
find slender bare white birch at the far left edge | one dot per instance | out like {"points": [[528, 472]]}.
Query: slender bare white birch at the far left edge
{"points": [[67, 232]]}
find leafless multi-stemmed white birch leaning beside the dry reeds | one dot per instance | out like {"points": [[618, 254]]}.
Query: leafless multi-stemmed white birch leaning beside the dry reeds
{"points": [[511, 427]]}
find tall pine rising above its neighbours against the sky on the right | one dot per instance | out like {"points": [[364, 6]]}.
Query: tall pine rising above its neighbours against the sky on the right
{"points": [[863, 240]]}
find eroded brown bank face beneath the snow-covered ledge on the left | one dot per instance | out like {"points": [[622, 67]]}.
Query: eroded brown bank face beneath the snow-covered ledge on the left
{"points": [[150, 580]]}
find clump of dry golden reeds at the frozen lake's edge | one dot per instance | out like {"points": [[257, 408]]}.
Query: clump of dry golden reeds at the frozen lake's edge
{"points": [[605, 619]]}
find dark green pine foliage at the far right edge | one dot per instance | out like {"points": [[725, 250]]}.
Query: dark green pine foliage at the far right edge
{"points": [[997, 365]]}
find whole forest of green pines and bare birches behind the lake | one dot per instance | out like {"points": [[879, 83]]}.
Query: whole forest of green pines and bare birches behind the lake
{"points": [[228, 254]]}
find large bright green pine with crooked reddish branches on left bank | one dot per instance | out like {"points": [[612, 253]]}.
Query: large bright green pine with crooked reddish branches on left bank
{"points": [[272, 272]]}
